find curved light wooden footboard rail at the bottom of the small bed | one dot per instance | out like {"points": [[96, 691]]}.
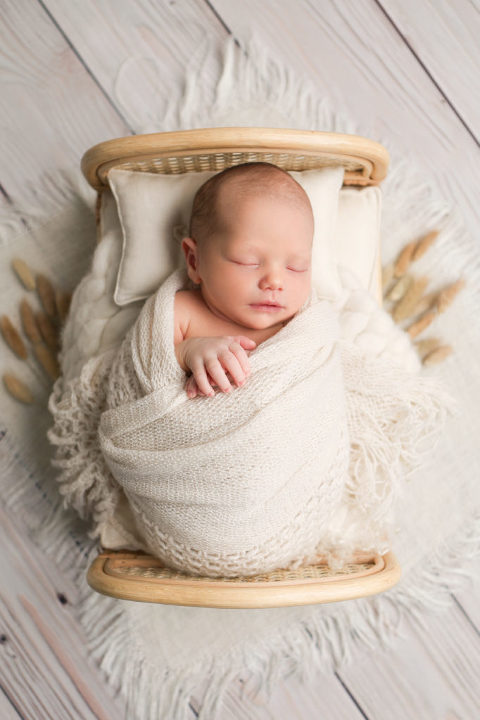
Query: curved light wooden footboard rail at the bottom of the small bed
{"points": [[141, 577]]}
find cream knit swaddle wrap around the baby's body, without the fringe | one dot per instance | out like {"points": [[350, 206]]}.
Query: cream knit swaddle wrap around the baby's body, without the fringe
{"points": [[240, 482]]}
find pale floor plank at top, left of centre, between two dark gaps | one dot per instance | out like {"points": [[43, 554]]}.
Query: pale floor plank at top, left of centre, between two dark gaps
{"points": [[140, 58]]}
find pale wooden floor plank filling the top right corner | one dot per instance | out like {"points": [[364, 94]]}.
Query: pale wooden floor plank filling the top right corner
{"points": [[444, 36]]}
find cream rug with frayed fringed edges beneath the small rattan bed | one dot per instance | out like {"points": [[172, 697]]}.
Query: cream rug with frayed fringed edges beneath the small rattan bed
{"points": [[157, 656]]}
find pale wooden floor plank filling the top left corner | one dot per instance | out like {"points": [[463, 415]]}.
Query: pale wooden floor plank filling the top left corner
{"points": [[52, 109]]}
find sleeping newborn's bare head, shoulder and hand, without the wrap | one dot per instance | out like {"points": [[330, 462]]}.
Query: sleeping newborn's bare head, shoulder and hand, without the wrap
{"points": [[249, 251]]}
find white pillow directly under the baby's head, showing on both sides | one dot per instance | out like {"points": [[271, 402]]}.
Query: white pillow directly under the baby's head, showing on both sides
{"points": [[152, 205]]}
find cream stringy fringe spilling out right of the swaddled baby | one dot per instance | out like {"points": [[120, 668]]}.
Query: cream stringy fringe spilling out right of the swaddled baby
{"points": [[396, 420]]}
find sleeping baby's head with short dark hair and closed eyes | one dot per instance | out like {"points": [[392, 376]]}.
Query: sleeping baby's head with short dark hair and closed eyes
{"points": [[250, 245]]}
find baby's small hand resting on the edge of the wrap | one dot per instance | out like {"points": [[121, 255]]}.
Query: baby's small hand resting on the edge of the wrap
{"points": [[209, 358]]}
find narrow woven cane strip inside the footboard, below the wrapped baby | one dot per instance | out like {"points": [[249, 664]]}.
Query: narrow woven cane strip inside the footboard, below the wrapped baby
{"points": [[312, 572]]}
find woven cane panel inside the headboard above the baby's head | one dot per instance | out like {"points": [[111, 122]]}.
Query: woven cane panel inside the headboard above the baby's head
{"points": [[219, 161]]}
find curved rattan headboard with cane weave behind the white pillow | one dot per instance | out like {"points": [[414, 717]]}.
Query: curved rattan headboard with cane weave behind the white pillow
{"points": [[365, 161]]}
